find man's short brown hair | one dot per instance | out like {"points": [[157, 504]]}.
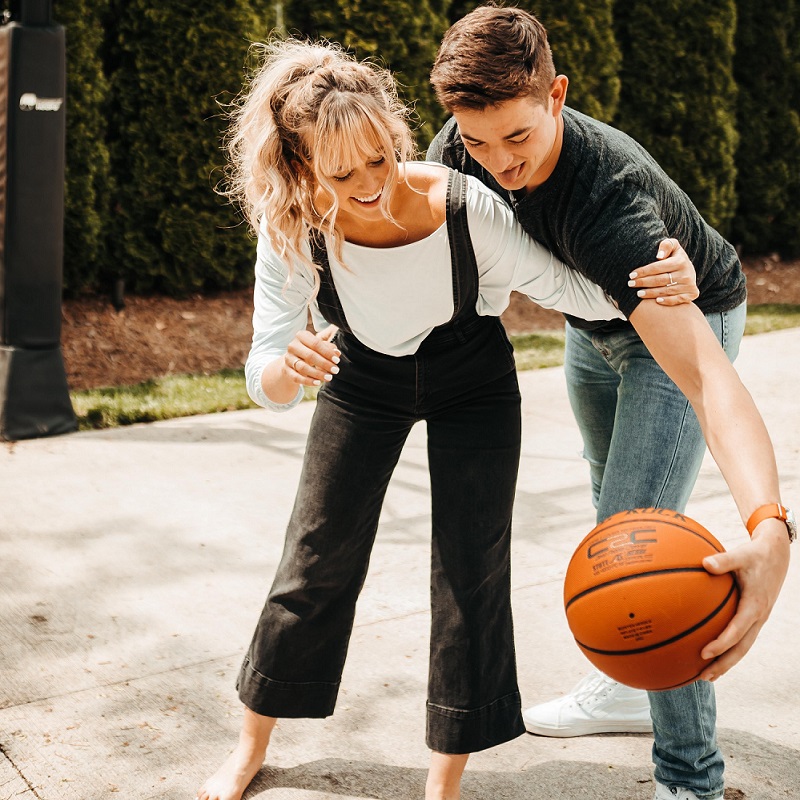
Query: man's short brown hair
{"points": [[492, 55]]}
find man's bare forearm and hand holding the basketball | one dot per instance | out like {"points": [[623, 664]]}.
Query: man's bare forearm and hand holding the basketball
{"points": [[685, 347]]}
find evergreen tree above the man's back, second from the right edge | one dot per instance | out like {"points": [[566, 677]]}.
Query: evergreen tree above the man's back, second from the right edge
{"points": [[678, 95]]}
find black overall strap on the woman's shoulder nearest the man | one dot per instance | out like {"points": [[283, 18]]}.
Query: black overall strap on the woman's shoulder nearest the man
{"points": [[462, 255]]}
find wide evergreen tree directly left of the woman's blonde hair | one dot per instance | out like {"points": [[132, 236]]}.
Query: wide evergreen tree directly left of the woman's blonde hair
{"points": [[173, 66]]}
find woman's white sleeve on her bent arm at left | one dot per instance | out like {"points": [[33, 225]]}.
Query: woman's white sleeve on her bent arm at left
{"points": [[280, 311]]}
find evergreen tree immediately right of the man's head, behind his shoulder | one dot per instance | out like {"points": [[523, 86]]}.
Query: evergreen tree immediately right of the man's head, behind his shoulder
{"points": [[581, 34]]}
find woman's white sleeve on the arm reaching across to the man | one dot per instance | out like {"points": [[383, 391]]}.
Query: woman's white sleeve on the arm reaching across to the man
{"points": [[510, 260]]}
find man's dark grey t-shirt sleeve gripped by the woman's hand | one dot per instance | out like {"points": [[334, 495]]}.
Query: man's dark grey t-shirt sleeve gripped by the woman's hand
{"points": [[623, 234]]}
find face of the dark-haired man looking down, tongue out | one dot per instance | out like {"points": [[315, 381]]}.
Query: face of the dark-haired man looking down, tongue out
{"points": [[518, 141]]}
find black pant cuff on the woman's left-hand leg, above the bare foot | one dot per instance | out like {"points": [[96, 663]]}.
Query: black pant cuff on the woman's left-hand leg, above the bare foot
{"points": [[272, 698]]}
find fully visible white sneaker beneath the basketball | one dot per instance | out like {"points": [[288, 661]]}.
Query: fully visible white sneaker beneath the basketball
{"points": [[596, 705]]}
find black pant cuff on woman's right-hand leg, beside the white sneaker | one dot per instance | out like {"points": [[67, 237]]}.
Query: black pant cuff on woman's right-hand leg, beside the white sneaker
{"points": [[455, 731]]}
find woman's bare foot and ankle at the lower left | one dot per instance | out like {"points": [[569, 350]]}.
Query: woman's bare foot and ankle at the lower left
{"points": [[241, 766]]}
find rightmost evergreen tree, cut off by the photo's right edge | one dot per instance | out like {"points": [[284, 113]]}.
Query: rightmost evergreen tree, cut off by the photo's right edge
{"points": [[767, 71]]}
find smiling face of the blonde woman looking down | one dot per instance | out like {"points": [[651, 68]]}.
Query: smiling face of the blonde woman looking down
{"points": [[358, 188]]}
